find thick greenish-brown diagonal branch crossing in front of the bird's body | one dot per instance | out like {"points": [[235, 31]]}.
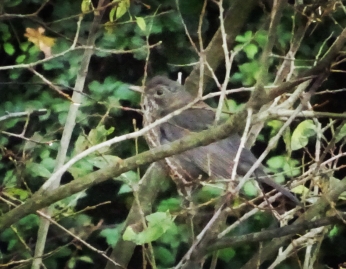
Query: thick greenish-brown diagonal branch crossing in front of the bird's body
{"points": [[42, 199]]}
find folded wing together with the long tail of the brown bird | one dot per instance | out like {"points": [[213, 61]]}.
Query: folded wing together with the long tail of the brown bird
{"points": [[216, 159]]}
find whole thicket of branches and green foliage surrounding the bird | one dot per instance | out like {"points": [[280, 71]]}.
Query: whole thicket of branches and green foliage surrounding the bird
{"points": [[66, 68]]}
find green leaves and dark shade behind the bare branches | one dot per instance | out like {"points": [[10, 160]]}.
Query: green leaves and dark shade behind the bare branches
{"points": [[109, 109]]}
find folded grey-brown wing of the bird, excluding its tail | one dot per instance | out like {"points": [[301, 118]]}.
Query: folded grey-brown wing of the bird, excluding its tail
{"points": [[198, 118]]}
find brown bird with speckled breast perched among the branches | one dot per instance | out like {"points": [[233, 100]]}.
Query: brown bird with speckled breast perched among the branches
{"points": [[162, 96]]}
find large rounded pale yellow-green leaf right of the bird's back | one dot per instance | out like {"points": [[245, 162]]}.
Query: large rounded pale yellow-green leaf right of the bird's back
{"points": [[302, 133]]}
